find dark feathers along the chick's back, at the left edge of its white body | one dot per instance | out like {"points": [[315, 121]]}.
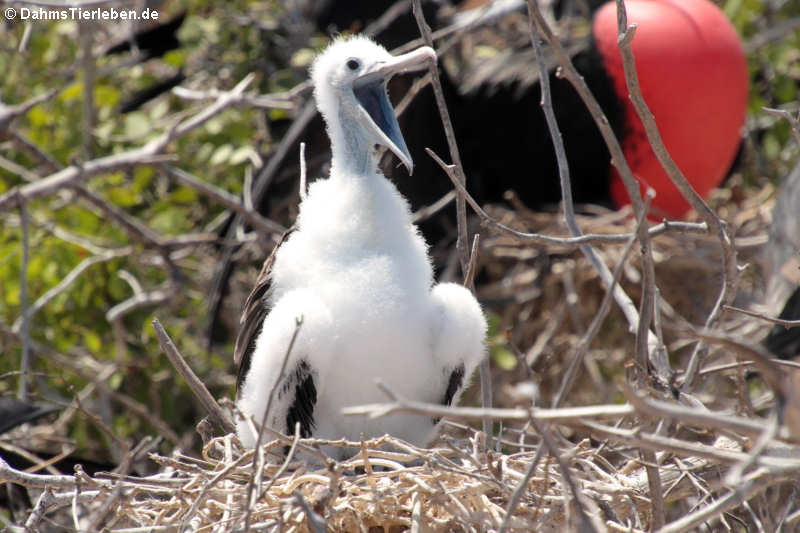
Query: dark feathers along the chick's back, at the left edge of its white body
{"points": [[256, 309]]}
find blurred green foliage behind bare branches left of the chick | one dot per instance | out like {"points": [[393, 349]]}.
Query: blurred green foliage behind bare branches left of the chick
{"points": [[217, 46]]}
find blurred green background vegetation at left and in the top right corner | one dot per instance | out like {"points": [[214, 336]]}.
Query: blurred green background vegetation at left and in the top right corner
{"points": [[114, 366]]}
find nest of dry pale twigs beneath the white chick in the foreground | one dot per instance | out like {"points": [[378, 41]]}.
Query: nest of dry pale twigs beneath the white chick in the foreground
{"points": [[460, 486]]}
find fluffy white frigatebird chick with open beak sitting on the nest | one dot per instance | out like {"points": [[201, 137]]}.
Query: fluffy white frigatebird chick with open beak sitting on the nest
{"points": [[357, 271]]}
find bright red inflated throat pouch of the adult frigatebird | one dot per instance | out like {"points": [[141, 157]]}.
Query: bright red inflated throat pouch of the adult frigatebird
{"points": [[693, 76]]}
